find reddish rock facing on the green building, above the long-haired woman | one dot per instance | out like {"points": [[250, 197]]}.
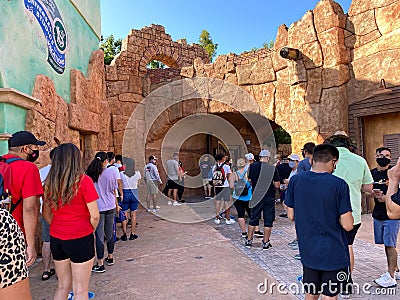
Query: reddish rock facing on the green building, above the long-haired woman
{"points": [[85, 121]]}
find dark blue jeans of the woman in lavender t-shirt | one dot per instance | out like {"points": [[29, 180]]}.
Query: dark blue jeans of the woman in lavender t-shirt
{"points": [[105, 227]]}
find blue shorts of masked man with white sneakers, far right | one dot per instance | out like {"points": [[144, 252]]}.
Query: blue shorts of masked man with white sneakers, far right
{"points": [[386, 231]]}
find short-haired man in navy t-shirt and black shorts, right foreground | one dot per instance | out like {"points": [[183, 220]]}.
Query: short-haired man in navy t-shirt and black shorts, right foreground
{"points": [[319, 204]]}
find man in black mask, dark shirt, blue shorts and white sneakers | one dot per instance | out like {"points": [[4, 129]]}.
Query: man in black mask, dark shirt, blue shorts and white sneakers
{"points": [[385, 230]]}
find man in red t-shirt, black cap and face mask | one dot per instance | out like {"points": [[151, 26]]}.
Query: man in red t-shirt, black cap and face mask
{"points": [[26, 187]]}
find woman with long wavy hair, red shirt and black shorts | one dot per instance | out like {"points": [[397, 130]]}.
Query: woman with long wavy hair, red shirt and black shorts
{"points": [[70, 207]]}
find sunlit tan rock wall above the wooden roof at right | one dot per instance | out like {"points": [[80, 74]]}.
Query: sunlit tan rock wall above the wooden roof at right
{"points": [[373, 36]]}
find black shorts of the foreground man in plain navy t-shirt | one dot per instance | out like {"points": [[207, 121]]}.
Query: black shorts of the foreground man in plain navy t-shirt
{"points": [[328, 283]]}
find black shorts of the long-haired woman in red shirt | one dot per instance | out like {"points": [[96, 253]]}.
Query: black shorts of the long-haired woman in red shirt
{"points": [[77, 250]]}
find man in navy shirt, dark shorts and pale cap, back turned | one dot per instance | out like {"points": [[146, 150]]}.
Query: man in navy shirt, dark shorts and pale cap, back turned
{"points": [[264, 179]]}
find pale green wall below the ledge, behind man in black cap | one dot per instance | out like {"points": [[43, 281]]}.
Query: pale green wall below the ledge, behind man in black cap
{"points": [[12, 119]]}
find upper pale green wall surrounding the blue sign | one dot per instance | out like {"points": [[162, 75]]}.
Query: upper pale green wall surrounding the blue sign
{"points": [[23, 51]]}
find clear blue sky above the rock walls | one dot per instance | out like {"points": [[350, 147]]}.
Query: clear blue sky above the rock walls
{"points": [[235, 25]]}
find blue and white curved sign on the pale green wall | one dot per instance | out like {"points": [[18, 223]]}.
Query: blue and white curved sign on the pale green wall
{"points": [[53, 27]]}
